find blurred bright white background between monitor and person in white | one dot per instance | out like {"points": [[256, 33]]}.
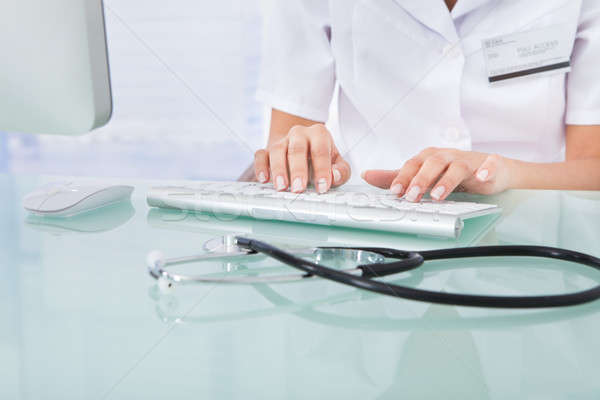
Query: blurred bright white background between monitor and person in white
{"points": [[184, 75]]}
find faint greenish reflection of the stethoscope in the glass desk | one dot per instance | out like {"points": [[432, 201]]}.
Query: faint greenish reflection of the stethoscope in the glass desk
{"points": [[167, 308]]}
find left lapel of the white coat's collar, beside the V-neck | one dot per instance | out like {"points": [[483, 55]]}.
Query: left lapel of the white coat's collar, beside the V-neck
{"points": [[434, 14]]}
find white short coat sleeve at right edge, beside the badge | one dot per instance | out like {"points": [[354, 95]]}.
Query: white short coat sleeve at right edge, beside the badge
{"points": [[583, 85]]}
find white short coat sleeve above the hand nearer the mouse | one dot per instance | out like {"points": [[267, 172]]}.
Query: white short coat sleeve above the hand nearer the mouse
{"points": [[297, 67]]}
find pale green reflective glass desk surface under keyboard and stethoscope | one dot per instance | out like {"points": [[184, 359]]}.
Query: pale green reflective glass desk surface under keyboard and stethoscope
{"points": [[81, 318]]}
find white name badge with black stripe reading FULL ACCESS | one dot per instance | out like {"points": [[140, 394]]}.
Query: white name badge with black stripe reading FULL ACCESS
{"points": [[539, 51]]}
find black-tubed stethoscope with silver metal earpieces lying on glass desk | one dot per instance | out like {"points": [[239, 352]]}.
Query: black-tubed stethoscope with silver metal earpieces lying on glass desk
{"points": [[370, 263]]}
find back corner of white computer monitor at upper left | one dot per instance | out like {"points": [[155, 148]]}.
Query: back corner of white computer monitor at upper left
{"points": [[54, 74]]}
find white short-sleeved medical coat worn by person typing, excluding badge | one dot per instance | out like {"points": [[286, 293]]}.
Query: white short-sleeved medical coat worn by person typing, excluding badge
{"points": [[410, 74]]}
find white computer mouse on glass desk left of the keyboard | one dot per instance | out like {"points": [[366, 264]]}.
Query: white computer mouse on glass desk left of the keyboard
{"points": [[69, 198]]}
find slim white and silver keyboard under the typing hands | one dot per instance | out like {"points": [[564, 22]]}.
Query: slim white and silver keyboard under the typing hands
{"points": [[349, 206]]}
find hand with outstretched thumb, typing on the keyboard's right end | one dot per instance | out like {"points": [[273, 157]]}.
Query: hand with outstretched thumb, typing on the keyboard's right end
{"points": [[444, 170]]}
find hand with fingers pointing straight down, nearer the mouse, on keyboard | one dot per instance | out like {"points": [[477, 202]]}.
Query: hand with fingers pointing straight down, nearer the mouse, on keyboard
{"points": [[287, 160]]}
